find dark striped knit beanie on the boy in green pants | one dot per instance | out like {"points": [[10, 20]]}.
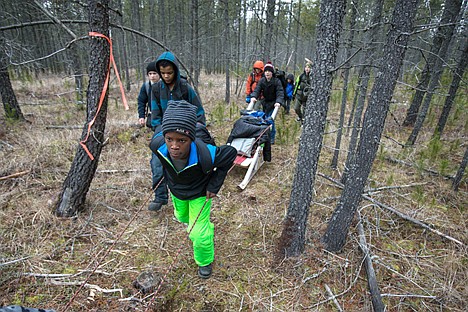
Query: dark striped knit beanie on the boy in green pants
{"points": [[181, 117]]}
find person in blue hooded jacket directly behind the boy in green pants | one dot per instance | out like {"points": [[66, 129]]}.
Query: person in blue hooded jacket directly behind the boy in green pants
{"points": [[170, 87]]}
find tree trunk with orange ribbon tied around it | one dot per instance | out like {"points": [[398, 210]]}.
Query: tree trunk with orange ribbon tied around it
{"points": [[72, 198]]}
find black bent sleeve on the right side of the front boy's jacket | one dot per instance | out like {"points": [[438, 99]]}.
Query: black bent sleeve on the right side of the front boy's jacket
{"points": [[224, 159]]}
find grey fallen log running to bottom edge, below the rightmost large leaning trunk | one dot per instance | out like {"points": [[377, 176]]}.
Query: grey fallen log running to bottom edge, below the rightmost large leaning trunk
{"points": [[371, 278]]}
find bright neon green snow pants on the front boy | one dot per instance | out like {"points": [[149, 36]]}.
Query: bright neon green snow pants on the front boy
{"points": [[202, 235]]}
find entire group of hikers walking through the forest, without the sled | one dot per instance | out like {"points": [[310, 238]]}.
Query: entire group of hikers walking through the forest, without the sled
{"points": [[184, 157]]}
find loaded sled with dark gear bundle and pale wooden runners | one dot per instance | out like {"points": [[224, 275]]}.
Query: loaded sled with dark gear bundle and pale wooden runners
{"points": [[250, 136]]}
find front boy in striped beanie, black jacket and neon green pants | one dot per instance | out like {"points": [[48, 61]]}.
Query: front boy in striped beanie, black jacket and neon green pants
{"points": [[194, 172]]}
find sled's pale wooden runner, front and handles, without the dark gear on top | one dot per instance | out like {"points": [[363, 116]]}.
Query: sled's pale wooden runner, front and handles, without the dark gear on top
{"points": [[249, 154]]}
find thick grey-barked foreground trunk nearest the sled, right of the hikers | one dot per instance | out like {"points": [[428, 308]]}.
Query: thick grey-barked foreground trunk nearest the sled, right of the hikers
{"points": [[292, 239]]}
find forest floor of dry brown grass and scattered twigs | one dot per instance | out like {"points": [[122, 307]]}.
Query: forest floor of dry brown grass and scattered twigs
{"points": [[45, 259]]}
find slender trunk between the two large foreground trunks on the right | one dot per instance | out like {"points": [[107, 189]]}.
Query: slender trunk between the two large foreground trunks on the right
{"points": [[344, 97]]}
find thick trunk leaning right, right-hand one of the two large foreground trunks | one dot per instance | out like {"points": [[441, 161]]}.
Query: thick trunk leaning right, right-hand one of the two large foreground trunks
{"points": [[373, 124]]}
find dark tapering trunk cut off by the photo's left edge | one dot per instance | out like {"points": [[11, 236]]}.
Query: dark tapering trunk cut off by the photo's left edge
{"points": [[10, 103]]}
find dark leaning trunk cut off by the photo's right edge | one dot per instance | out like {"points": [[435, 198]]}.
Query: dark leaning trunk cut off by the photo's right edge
{"points": [[457, 76]]}
